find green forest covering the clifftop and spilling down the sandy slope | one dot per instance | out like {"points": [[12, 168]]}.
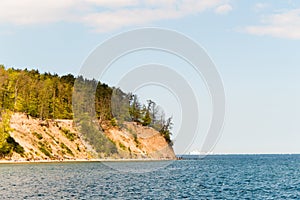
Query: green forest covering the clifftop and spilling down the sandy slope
{"points": [[48, 96]]}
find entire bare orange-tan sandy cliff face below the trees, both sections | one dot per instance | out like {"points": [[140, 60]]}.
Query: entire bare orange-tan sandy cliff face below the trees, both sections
{"points": [[61, 140]]}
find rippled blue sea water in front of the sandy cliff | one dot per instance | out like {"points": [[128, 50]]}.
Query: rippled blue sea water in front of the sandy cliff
{"points": [[214, 177]]}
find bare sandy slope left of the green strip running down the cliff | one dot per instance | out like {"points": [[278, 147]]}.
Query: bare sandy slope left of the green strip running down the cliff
{"points": [[58, 137]]}
